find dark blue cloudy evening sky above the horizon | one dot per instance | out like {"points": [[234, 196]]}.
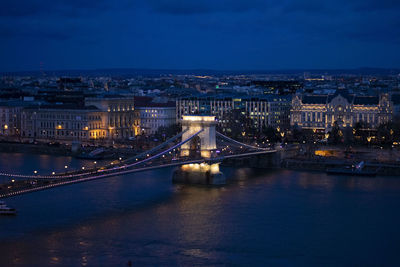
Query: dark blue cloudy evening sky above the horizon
{"points": [[186, 34]]}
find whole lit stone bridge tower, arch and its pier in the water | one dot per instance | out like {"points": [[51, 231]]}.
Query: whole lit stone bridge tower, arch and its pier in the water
{"points": [[199, 173]]}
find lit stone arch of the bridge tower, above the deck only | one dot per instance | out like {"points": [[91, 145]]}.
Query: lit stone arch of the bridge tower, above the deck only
{"points": [[192, 124]]}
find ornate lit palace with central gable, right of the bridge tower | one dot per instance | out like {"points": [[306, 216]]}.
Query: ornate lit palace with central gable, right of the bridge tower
{"points": [[321, 112]]}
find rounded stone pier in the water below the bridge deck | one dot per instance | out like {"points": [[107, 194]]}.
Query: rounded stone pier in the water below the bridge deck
{"points": [[203, 173]]}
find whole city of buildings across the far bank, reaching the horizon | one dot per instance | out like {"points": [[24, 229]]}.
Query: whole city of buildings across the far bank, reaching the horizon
{"points": [[102, 109]]}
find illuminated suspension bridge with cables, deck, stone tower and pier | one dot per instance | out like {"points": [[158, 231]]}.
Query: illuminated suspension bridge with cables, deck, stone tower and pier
{"points": [[196, 153]]}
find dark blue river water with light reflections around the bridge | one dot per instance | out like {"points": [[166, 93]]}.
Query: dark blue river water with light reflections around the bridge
{"points": [[269, 218]]}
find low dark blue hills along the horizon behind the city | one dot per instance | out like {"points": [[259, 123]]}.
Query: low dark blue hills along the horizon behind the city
{"points": [[131, 72]]}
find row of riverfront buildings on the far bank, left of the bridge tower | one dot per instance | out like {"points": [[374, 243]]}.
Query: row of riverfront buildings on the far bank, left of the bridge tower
{"points": [[101, 118]]}
